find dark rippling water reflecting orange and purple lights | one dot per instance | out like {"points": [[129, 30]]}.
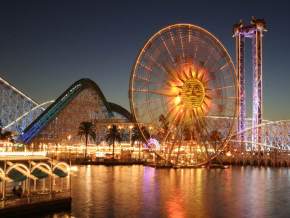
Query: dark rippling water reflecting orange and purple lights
{"points": [[137, 191]]}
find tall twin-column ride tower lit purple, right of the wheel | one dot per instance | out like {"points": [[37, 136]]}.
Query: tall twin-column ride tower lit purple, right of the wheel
{"points": [[254, 31]]}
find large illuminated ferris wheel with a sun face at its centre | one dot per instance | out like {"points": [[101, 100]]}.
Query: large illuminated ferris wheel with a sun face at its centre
{"points": [[182, 80]]}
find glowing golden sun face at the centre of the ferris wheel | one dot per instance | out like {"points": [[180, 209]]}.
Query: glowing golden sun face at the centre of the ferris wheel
{"points": [[191, 94]]}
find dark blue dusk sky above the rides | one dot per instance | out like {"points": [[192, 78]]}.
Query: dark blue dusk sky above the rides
{"points": [[47, 45]]}
